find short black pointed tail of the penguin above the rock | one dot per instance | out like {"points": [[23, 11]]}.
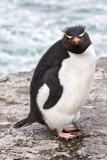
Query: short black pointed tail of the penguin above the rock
{"points": [[25, 122]]}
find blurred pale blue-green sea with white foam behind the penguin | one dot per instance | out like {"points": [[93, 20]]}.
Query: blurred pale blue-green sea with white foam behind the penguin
{"points": [[29, 27]]}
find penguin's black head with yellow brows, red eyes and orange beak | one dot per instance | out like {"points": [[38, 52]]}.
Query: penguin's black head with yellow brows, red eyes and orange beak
{"points": [[76, 39]]}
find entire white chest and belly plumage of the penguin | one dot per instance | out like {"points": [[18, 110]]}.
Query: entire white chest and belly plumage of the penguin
{"points": [[75, 75]]}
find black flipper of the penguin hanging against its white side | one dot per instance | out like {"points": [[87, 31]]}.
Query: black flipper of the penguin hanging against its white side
{"points": [[52, 81]]}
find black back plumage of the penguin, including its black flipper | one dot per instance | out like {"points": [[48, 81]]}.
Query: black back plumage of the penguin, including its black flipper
{"points": [[47, 72]]}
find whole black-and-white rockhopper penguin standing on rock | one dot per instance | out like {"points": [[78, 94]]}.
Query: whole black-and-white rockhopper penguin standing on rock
{"points": [[61, 82]]}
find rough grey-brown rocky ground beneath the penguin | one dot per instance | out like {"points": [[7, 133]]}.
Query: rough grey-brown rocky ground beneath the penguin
{"points": [[37, 142]]}
